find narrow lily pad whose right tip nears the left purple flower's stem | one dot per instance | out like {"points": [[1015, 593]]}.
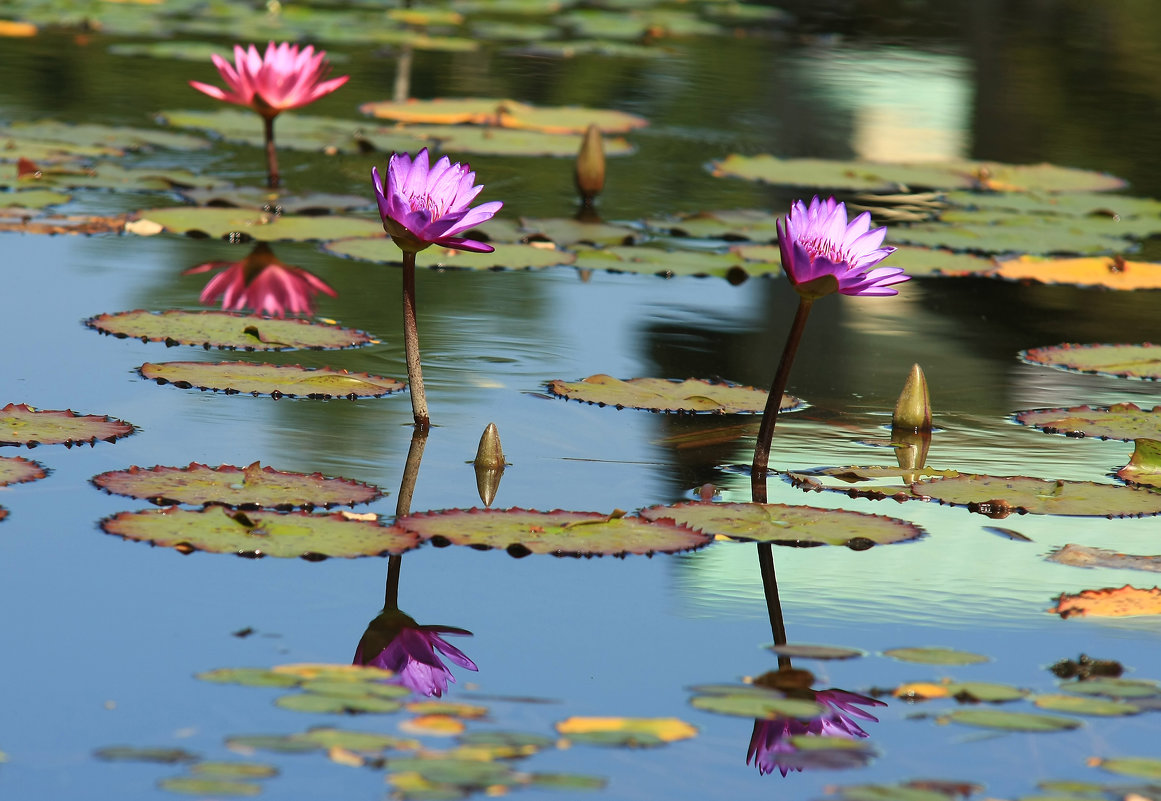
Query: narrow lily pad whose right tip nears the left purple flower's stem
{"points": [[279, 381]]}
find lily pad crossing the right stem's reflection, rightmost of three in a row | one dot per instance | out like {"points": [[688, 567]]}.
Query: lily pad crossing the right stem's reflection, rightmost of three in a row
{"points": [[783, 525]]}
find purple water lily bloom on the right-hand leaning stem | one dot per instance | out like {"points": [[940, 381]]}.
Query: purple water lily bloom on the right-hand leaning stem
{"points": [[823, 254]]}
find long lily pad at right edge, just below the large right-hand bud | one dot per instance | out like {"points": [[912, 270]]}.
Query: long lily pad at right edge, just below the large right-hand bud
{"points": [[1000, 496]]}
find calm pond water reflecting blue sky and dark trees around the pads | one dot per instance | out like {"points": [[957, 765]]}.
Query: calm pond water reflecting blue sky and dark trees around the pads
{"points": [[104, 638]]}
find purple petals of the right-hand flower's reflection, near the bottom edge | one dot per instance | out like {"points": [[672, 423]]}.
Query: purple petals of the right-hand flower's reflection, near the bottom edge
{"points": [[770, 744]]}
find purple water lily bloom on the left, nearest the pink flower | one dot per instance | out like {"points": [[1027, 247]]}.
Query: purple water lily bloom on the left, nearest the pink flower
{"points": [[424, 206]]}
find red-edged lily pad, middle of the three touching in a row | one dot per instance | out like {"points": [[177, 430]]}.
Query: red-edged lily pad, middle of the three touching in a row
{"points": [[560, 533]]}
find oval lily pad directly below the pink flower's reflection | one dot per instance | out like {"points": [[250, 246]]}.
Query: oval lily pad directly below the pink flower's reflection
{"points": [[226, 330]]}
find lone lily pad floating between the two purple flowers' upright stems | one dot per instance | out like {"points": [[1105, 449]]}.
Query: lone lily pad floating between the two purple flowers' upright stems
{"points": [[668, 395]]}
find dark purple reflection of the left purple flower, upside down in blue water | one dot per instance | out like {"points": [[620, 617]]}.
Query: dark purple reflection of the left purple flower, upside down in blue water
{"points": [[396, 643]]}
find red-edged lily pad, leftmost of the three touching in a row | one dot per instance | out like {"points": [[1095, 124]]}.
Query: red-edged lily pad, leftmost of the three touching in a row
{"points": [[217, 530]]}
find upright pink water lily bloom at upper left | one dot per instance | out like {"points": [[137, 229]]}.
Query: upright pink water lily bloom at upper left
{"points": [[286, 77]]}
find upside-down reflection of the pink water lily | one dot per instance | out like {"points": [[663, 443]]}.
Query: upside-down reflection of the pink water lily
{"points": [[263, 284]]}
